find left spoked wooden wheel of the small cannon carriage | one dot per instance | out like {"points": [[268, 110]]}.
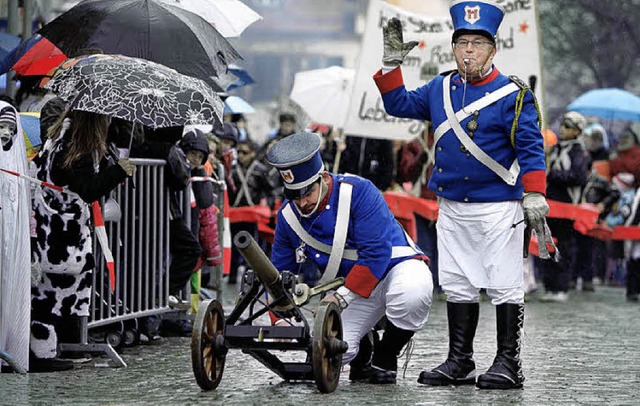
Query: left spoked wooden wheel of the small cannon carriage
{"points": [[208, 350]]}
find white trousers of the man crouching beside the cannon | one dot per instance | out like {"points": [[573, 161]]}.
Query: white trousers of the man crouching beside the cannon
{"points": [[404, 296]]}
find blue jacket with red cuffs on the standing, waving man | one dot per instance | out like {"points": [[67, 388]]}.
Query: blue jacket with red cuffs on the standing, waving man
{"points": [[457, 174]]}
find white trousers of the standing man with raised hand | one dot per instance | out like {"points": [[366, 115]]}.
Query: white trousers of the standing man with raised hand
{"points": [[480, 245]]}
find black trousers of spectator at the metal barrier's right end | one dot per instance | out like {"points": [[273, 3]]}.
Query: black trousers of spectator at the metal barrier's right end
{"points": [[185, 251]]}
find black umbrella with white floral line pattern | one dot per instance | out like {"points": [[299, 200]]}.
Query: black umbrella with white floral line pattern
{"points": [[135, 90]]}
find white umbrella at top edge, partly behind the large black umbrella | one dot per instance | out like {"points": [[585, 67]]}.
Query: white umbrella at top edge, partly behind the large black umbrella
{"points": [[229, 17]]}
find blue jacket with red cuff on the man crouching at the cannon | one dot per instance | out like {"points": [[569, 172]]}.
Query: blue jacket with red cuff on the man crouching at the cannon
{"points": [[372, 231]]}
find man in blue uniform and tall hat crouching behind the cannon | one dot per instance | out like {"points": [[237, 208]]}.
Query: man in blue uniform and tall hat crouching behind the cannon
{"points": [[343, 224]]}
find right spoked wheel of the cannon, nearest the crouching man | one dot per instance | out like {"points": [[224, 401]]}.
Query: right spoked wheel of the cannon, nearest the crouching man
{"points": [[328, 347]]}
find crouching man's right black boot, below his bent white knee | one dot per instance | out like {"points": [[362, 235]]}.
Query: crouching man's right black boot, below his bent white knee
{"points": [[386, 352]]}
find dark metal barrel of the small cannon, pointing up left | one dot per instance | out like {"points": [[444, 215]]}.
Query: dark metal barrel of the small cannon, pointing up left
{"points": [[264, 269]]}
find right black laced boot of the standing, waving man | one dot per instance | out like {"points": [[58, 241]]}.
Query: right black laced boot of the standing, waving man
{"points": [[506, 371]]}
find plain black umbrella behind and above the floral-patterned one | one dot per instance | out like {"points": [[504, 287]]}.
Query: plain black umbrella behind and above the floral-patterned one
{"points": [[147, 29]]}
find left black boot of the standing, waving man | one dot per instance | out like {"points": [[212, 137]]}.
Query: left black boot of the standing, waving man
{"points": [[459, 367]]}
